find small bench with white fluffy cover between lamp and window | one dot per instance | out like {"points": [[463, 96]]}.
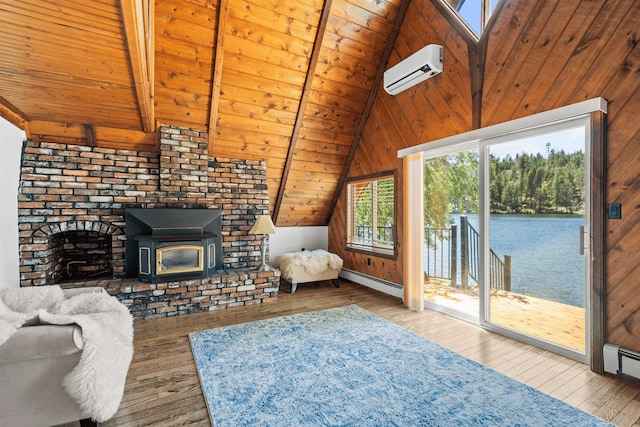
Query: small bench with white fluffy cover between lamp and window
{"points": [[308, 266]]}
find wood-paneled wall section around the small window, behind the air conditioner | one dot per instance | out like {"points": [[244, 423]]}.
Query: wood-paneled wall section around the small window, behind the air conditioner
{"points": [[436, 108]]}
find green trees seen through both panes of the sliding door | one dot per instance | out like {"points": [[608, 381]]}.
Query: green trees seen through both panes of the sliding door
{"points": [[550, 183]]}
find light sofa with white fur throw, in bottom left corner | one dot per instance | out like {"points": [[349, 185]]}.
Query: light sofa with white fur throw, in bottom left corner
{"points": [[64, 355]]}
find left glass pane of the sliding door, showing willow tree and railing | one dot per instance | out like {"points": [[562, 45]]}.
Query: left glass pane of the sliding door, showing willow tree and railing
{"points": [[451, 207]]}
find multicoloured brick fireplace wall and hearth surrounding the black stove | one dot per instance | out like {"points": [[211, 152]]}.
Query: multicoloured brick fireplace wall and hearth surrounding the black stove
{"points": [[72, 205]]}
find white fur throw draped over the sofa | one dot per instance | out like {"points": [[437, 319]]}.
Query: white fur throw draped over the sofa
{"points": [[97, 382]]}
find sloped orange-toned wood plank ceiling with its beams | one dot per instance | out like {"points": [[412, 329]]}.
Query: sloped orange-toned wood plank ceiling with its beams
{"points": [[285, 81]]}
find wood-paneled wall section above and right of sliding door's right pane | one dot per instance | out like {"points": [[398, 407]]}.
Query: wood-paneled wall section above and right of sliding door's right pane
{"points": [[544, 55]]}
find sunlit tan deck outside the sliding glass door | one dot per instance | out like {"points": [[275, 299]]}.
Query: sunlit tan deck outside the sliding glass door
{"points": [[559, 323]]}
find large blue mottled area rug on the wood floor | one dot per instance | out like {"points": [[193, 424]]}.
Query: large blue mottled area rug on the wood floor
{"points": [[349, 367]]}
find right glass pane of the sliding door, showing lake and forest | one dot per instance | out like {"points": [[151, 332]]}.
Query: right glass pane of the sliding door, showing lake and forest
{"points": [[535, 263]]}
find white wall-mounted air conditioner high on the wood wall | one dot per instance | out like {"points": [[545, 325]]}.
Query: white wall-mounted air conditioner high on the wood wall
{"points": [[425, 63]]}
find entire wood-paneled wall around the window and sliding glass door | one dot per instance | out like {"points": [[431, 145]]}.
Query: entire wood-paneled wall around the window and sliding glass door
{"points": [[539, 56]]}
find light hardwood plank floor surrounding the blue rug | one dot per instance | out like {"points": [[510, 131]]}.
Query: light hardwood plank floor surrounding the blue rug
{"points": [[163, 387]]}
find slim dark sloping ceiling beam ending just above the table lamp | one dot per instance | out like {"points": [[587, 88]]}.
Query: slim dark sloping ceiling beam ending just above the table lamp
{"points": [[313, 62]]}
